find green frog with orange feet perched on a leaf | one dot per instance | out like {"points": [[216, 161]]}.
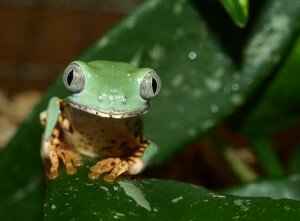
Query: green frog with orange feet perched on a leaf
{"points": [[101, 117]]}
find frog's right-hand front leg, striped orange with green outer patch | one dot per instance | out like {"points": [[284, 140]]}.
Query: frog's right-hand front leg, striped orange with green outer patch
{"points": [[132, 165]]}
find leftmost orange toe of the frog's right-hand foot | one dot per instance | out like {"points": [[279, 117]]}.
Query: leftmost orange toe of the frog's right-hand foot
{"points": [[103, 166]]}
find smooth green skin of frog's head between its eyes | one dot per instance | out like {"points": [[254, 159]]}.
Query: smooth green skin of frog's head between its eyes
{"points": [[114, 81]]}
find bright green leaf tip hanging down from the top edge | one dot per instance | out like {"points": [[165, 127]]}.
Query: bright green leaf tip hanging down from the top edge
{"points": [[238, 10]]}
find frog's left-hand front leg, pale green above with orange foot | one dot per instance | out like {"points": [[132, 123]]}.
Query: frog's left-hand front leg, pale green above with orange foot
{"points": [[53, 149]]}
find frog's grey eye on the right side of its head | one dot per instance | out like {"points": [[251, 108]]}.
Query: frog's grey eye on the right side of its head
{"points": [[150, 85]]}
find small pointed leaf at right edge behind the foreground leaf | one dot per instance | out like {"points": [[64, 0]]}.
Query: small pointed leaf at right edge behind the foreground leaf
{"points": [[276, 188]]}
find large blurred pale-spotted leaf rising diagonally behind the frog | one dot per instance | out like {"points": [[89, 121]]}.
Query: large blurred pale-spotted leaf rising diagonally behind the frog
{"points": [[201, 83]]}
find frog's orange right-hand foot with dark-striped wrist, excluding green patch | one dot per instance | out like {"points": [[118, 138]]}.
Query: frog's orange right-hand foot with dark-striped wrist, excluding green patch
{"points": [[116, 166]]}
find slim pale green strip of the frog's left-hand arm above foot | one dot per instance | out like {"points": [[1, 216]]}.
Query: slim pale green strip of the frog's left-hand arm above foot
{"points": [[53, 113]]}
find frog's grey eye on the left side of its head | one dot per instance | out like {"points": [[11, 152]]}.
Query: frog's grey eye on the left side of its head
{"points": [[74, 78]]}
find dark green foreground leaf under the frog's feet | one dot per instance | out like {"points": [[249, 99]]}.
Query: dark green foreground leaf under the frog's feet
{"points": [[77, 197]]}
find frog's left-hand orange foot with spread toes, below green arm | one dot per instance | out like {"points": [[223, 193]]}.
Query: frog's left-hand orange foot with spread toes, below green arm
{"points": [[53, 151]]}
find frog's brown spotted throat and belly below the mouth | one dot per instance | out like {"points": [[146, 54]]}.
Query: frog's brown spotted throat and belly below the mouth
{"points": [[102, 137]]}
